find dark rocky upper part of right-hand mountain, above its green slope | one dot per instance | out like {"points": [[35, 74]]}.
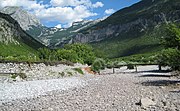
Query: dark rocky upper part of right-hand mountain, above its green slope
{"points": [[135, 19]]}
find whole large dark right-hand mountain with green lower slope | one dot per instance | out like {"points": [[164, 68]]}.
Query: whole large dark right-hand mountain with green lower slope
{"points": [[133, 30]]}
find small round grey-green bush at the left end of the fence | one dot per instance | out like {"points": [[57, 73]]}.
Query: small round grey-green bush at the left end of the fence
{"points": [[98, 65]]}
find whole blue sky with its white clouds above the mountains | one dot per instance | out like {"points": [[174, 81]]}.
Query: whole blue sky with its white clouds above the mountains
{"points": [[62, 13]]}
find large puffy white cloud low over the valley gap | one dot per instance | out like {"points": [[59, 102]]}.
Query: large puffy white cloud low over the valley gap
{"points": [[64, 14]]}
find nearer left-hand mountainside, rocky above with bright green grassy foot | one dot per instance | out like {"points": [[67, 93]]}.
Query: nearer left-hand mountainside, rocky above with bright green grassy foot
{"points": [[14, 41]]}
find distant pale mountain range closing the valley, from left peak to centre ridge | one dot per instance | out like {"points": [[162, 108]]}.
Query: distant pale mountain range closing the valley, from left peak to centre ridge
{"points": [[49, 36]]}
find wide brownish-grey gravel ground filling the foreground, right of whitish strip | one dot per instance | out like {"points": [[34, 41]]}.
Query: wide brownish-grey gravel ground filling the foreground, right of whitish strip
{"points": [[115, 92]]}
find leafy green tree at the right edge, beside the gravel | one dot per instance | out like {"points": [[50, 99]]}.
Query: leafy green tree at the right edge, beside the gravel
{"points": [[171, 55]]}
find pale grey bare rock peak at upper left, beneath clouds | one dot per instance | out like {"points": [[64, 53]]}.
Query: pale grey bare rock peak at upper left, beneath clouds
{"points": [[26, 20]]}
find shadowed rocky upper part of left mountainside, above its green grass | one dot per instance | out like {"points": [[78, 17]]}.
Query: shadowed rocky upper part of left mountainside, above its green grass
{"points": [[12, 33]]}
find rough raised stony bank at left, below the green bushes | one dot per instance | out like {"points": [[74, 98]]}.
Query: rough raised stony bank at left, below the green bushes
{"points": [[36, 71]]}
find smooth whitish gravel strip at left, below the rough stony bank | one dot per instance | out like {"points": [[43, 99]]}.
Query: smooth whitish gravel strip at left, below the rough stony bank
{"points": [[32, 89]]}
